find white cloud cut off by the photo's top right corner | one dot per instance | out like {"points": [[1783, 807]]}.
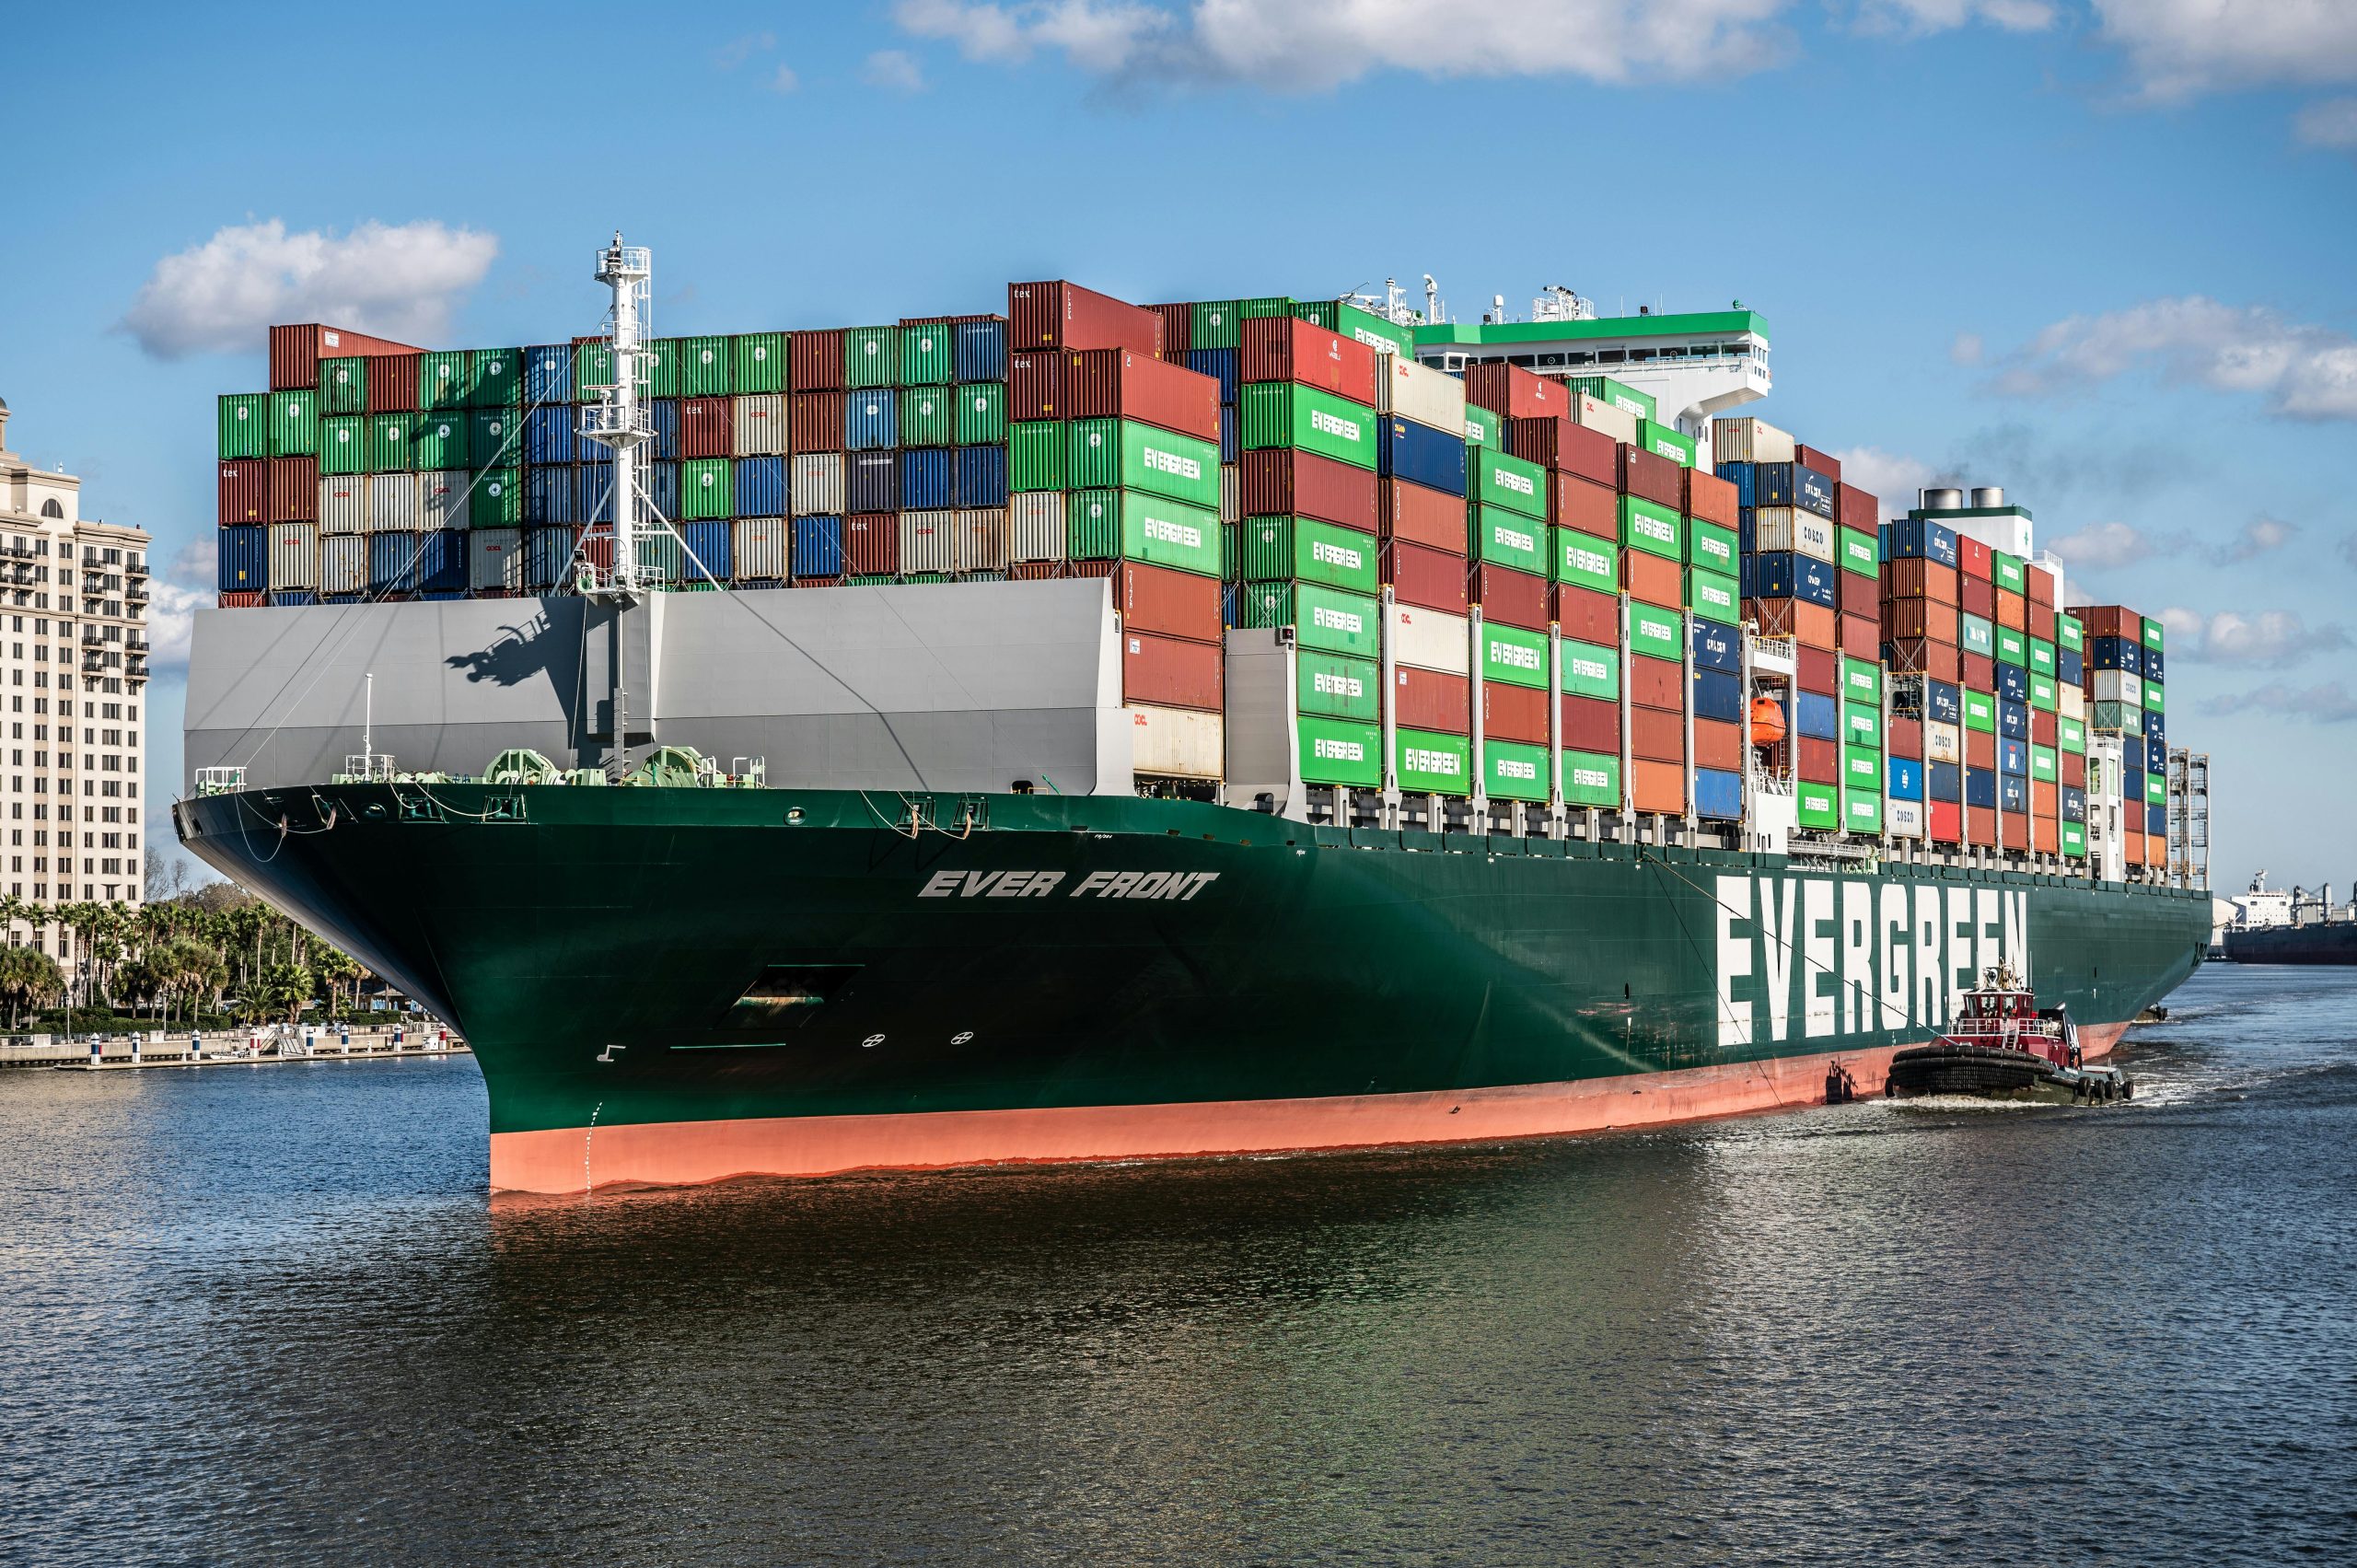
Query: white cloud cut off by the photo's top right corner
{"points": [[2186, 48]]}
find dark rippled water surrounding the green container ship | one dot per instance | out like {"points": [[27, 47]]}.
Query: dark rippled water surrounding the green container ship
{"points": [[270, 1315]]}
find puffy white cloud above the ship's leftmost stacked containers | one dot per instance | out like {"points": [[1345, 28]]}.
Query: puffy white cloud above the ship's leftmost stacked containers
{"points": [[400, 282]]}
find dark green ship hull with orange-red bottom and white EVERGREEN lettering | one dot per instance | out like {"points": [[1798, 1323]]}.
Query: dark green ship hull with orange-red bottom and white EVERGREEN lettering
{"points": [[699, 984]]}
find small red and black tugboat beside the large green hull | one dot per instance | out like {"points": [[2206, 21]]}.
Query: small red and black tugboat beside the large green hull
{"points": [[2005, 1048]]}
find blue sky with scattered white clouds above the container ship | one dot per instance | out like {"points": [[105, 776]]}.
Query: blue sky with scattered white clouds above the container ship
{"points": [[2089, 251]]}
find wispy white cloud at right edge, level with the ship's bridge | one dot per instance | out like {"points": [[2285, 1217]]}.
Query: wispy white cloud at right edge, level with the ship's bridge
{"points": [[2306, 371]]}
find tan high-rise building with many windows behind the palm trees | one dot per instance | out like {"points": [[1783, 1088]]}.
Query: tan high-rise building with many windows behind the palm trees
{"points": [[74, 668]]}
